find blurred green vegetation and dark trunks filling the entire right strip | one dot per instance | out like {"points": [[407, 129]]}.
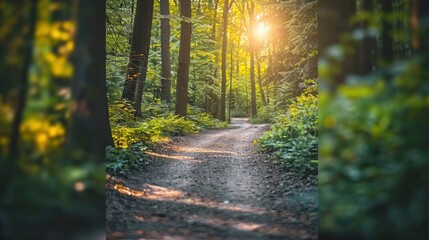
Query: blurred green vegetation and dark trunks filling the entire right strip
{"points": [[373, 180]]}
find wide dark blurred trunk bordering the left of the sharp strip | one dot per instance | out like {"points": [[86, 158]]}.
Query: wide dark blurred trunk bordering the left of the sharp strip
{"points": [[89, 127]]}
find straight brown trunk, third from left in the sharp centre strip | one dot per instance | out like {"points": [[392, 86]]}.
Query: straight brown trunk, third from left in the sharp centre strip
{"points": [[184, 58]]}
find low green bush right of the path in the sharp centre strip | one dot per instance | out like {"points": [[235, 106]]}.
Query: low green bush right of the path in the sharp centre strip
{"points": [[294, 137]]}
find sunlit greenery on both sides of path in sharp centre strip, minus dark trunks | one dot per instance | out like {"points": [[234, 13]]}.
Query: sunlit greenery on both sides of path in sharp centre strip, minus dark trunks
{"points": [[283, 93]]}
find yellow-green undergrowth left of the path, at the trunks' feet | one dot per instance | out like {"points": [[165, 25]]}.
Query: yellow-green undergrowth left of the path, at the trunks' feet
{"points": [[133, 136]]}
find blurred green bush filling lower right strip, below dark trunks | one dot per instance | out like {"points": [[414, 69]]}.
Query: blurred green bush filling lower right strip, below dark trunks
{"points": [[372, 151]]}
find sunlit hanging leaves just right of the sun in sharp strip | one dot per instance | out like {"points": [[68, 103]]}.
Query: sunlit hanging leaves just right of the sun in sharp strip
{"points": [[295, 27]]}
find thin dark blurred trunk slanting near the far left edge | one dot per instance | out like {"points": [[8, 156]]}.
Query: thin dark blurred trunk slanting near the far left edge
{"points": [[23, 87]]}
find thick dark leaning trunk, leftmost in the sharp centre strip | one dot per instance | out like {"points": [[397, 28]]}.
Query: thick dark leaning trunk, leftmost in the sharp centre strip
{"points": [[139, 50]]}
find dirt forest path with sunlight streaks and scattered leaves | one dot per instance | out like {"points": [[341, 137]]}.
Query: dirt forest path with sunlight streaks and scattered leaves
{"points": [[212, 185]]}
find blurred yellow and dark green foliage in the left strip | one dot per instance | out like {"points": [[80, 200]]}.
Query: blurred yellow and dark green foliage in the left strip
{"points": [[48, 190]]}
